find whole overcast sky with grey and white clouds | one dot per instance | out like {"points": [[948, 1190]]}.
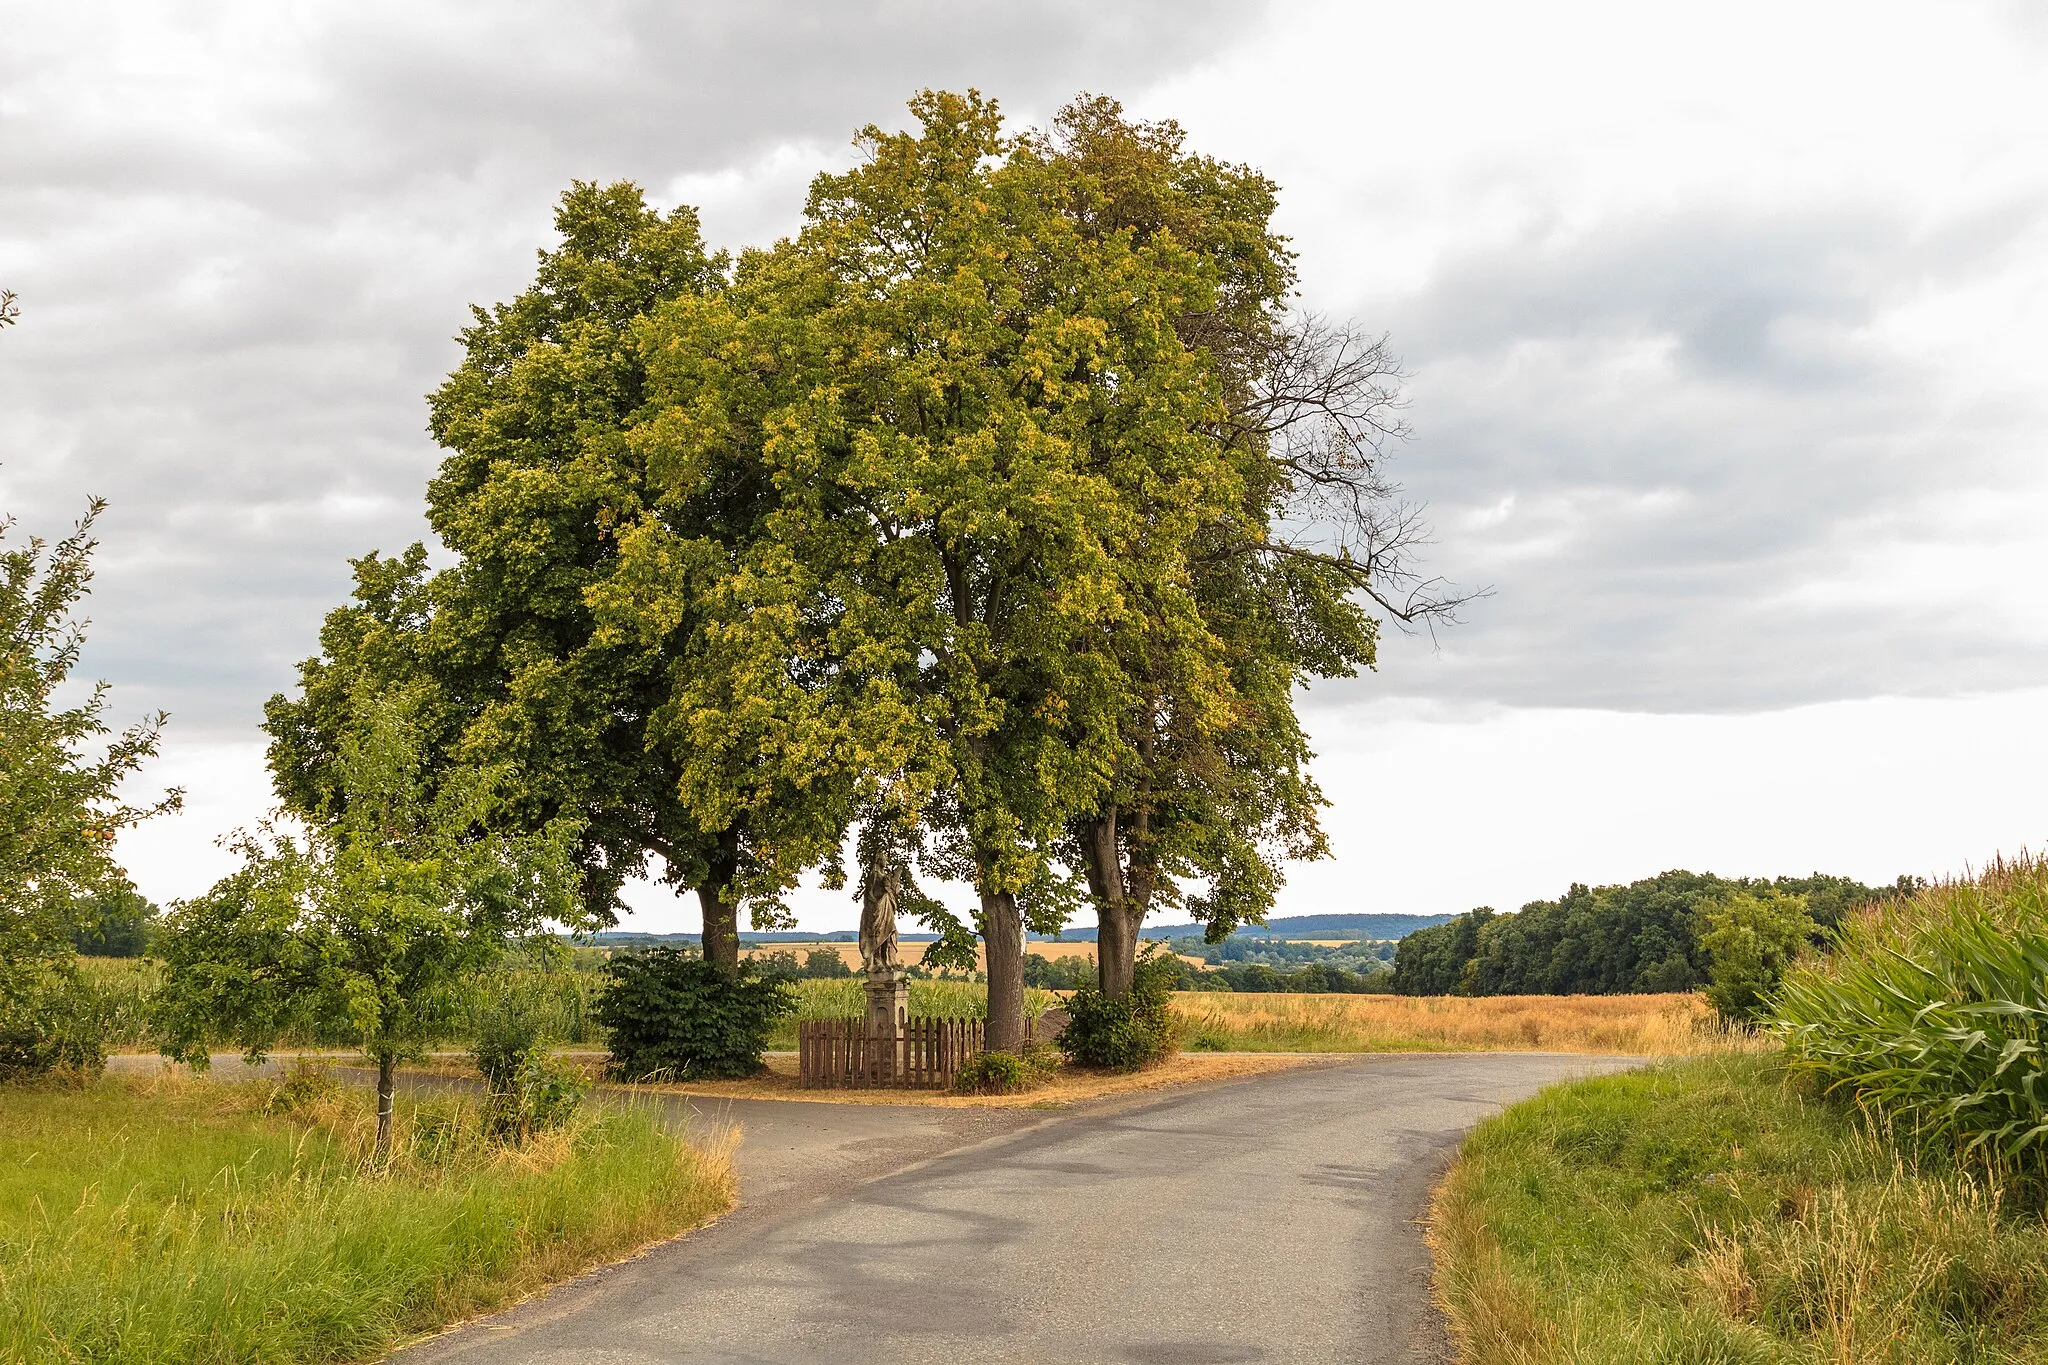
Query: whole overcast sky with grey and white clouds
{"points": [[1725, 331]]}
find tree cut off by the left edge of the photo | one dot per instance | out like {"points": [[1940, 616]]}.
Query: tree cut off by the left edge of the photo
{"points": [[60, 773]]}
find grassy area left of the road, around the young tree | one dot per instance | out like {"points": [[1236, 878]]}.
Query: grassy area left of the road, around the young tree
{"points": [[191, 1223]]}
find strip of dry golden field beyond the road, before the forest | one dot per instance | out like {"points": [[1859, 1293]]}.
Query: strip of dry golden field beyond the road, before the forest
{"points": [[1627, 1024]]}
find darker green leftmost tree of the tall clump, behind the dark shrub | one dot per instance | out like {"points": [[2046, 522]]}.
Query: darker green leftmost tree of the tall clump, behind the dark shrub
{"points": [[505, 650]]}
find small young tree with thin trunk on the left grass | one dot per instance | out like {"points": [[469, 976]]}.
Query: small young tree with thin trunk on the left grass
{"points": [[361, 924]]}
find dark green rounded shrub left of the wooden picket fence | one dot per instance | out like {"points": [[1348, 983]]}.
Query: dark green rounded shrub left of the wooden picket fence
{"points": [[673, 1014]]}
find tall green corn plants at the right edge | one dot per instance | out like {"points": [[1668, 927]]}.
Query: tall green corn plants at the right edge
{"points": [[1934, 1010]]}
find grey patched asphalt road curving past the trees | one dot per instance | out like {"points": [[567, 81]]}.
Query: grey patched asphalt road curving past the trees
{"points": [[1258, 1221]]}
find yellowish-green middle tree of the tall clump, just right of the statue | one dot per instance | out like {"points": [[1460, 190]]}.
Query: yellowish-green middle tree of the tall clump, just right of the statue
{"points": [[1002, 478]]}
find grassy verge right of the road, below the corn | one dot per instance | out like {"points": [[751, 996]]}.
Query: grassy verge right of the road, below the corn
{"points": [[1715, 1213]]}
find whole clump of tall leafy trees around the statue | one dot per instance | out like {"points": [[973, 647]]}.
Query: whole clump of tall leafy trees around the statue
{"points": [[1000, 511]]}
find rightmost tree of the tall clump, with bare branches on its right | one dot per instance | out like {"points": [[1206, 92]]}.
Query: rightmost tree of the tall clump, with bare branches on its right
{"points": [[1213, 781]]}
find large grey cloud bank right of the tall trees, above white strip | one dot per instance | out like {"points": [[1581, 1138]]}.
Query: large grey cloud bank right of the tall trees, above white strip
{"points": [[1676, 449]]}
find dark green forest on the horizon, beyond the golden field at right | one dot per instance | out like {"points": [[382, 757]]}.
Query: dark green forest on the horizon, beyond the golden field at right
{"points": [[1603, 940]]}
